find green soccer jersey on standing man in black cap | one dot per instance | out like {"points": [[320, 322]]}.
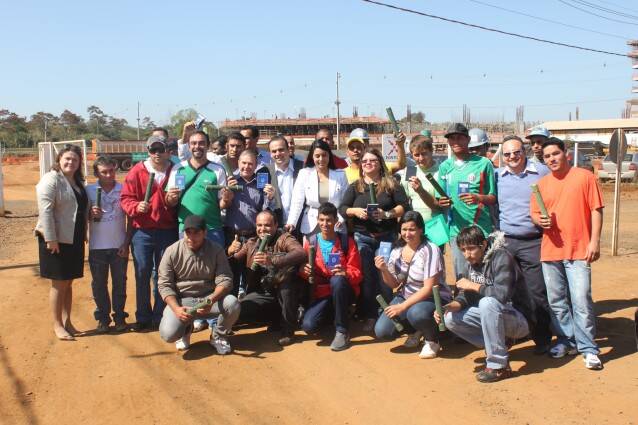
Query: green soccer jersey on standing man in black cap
{"points": [[477, 173]]}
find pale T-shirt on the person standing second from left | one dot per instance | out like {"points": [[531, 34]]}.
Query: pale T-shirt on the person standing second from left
{"points": [[110, 231]]}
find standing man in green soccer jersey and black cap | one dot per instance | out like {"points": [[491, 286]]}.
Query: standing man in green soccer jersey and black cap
{"points": [[468, 181]]}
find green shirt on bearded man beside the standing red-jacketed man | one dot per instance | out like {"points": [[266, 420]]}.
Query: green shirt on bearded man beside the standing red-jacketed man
{"points": [[197, 200]]}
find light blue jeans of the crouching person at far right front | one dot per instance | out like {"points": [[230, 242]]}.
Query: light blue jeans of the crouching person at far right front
{"points": [[488, 325]]}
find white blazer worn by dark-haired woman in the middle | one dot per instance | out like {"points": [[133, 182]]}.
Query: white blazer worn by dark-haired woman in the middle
{"points": [[306, 191]]}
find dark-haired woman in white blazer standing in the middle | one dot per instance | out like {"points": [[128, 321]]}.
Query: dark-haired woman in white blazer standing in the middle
{"points": [[317, 183]]}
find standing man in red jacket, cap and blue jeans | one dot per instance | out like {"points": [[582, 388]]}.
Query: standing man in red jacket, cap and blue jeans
{"points": [[154, 223]]}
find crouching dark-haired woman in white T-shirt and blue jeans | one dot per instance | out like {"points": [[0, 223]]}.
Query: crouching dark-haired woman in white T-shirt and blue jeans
{"points": [[413, 268]]}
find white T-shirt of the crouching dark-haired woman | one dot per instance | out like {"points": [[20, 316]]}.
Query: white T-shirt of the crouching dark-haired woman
{"points": [[426, 262]]}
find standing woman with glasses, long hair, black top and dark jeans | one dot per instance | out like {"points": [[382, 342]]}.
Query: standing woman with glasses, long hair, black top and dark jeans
{"points": [[373, 222]]}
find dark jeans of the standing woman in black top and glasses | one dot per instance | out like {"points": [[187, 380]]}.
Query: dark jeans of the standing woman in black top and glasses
{"points": [[372, 284]]}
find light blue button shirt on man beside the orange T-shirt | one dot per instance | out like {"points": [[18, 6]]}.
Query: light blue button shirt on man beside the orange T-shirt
{"points": [[514, 191]]}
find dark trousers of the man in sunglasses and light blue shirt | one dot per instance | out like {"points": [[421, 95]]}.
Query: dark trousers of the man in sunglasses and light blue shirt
{"points": [[527, 253]]}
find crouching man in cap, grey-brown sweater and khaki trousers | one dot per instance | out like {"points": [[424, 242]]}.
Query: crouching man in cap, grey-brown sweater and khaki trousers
{"points": [[195, 271]]}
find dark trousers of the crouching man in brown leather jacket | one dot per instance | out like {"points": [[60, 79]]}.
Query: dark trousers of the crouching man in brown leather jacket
{"points": [[279, 304]]}
